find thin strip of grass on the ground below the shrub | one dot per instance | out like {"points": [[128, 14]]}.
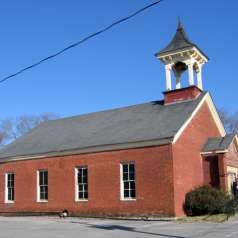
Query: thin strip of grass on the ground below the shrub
{"points": [[208, 218]]}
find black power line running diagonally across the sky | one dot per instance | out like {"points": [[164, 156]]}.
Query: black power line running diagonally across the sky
{"points": [[82, 41]]}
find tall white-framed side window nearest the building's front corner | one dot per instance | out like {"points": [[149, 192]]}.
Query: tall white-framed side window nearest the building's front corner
{"points": [[128, 188]]}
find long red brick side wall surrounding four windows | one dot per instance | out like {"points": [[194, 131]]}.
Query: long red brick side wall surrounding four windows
{"points": [[154, 183]]}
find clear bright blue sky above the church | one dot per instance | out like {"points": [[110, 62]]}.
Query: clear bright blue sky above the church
{"points": [[117, 68]]}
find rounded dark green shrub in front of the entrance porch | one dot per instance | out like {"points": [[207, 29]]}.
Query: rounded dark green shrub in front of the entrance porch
{"points": [[205, 200]]}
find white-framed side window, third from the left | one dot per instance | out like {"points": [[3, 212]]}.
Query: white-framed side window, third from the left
{"points": [[81, 176]]}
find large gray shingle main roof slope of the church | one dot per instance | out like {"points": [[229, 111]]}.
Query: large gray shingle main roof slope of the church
{"points": [[139, 123]]}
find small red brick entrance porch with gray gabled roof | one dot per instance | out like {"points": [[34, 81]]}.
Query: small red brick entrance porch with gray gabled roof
{"points": [[220, 162]]}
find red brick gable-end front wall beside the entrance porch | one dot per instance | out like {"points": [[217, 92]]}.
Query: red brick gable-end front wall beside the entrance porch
{"points": [[188, 163]]}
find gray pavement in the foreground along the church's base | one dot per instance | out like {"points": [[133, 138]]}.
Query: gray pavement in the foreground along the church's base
{"points": [[52, 227]]}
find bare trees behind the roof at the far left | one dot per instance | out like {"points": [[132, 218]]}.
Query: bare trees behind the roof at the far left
{"points": [[12, 128]]}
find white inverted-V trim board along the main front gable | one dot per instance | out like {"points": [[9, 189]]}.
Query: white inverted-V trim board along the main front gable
{"points": [[207, 98]]}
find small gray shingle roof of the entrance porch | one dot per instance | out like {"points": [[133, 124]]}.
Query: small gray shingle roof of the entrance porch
{"points": [[218, 143]]}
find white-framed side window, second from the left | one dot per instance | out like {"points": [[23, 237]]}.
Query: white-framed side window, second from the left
{"points": [[42, 189]]}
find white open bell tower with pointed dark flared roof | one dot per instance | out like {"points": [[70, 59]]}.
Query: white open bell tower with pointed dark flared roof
{"points": [[182, 55]]}
